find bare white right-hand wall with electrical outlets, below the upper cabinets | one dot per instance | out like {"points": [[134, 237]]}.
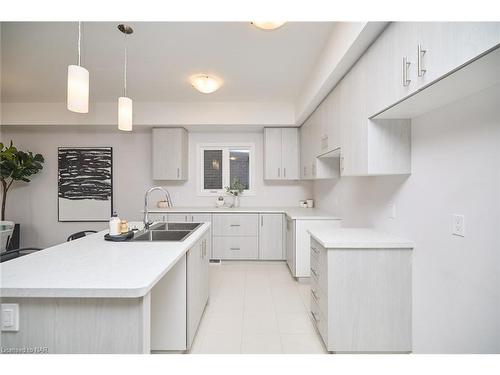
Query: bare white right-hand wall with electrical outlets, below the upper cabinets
{"points": [[456, 169]]}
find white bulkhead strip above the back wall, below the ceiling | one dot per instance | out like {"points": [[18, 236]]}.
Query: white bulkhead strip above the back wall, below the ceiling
{"points": [[250, 114]]}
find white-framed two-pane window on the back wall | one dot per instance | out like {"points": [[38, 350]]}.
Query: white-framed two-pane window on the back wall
{"points": [[221, 165]]}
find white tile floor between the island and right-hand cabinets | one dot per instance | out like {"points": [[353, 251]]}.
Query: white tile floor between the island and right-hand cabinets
{"points": [[258, 308]]}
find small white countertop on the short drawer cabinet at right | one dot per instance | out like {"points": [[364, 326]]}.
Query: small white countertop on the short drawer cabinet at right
{"points": [[358, 238]]}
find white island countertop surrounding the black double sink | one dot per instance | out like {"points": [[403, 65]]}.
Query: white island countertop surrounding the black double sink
{"points": [[93, 267]]}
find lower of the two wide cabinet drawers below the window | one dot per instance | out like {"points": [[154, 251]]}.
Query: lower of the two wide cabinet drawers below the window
{"points": [[235, 247]]}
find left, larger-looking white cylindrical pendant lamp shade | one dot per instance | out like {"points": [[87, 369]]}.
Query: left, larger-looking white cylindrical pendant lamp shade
{"points": [[78, 89]]}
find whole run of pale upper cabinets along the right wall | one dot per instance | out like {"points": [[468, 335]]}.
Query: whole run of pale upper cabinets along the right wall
{"points": [[406, 60]]}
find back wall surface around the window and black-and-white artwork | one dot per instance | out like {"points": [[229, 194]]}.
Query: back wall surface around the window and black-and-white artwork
{"points": [[35, 205]]}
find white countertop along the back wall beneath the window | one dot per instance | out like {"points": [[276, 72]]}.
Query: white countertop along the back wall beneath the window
{"points": [[295, 213]]}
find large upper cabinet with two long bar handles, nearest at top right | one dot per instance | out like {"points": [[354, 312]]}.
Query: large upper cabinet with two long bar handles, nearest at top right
{"points": [[408, 56]]}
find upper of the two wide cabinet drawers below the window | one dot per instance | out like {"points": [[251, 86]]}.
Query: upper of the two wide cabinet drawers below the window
{"points": [[236, 225]]}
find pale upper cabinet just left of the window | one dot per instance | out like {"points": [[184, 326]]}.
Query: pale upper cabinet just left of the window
{"points": [[170, 154]]}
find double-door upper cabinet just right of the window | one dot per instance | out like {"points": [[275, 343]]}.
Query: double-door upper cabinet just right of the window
{"points": [[281, 154]]}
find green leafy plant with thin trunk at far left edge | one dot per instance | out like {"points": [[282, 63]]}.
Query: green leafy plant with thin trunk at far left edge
{"points": [[16, 165]]}
